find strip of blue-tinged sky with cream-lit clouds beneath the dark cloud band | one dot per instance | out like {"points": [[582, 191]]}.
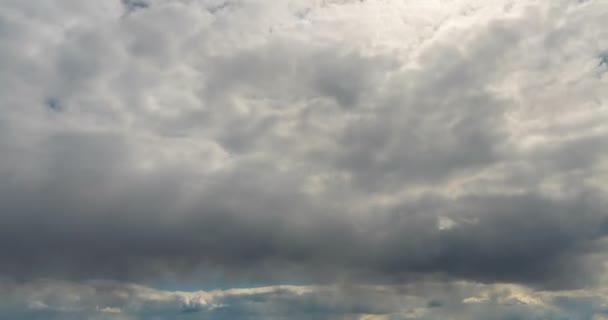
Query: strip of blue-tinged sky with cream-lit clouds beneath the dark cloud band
{"points": [[111, 300]]}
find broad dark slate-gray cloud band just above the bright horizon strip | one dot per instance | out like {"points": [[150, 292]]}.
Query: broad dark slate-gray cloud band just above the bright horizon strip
{"points": [[81, 218]]}
